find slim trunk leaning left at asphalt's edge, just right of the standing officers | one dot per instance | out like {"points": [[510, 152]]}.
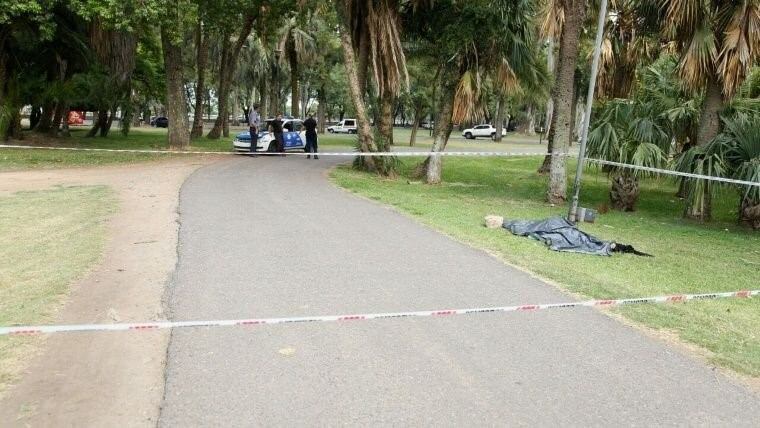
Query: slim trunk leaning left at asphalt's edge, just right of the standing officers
{"points": [[366, 139]]}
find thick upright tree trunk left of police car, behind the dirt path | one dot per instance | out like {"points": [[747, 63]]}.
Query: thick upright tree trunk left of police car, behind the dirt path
{"points": [[179, 134]]}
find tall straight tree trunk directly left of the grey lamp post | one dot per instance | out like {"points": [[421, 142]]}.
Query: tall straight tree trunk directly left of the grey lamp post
{"points": [[575, 13]]}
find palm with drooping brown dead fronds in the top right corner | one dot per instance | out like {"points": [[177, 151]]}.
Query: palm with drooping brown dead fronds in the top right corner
{"points": [[718, 43]]}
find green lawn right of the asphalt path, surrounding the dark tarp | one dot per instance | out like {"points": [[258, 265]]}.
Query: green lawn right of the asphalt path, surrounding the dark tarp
{"points": [[689, 257]]}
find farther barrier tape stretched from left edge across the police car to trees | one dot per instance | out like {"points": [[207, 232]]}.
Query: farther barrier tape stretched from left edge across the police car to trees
{"points": [[291, 153]]}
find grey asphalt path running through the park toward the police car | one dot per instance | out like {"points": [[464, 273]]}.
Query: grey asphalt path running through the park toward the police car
{"points": [[269, 237]]}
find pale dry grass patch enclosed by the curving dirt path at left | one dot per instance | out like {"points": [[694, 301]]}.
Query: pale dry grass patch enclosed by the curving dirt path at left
{"points": [[48, 239]]}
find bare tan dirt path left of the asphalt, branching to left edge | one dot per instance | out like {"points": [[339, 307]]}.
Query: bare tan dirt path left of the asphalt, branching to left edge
{"points": [[75, 380]]}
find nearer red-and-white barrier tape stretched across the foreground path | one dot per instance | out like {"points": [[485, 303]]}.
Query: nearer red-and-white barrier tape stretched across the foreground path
{"points": [[157, 325]]}
